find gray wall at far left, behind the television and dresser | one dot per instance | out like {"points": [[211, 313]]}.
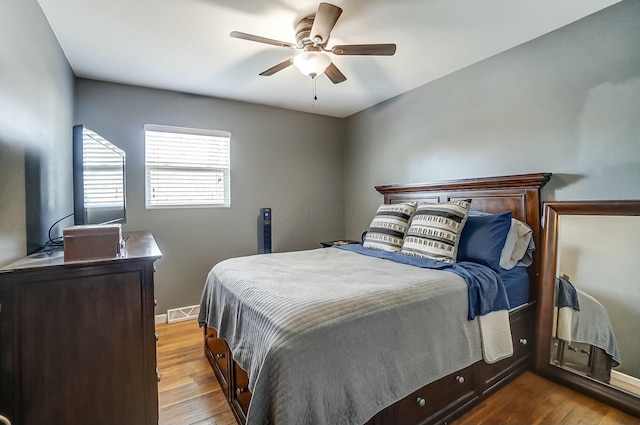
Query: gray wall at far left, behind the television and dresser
{"points": [[36, 109]]}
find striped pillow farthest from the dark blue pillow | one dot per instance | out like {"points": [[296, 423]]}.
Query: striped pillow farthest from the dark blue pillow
{"points": [[388, 226]]}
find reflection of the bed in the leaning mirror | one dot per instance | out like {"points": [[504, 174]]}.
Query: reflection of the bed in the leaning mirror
{"points": [[583, 338]]}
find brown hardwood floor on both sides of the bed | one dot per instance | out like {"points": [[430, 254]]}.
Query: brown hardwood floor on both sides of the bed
{"points": [[189, 393]]}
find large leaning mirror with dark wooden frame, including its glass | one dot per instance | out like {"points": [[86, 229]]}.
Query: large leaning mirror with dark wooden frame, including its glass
{"points": [[589, 303]]}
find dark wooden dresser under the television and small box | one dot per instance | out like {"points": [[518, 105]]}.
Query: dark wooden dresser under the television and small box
{"points": [[78, 343]]}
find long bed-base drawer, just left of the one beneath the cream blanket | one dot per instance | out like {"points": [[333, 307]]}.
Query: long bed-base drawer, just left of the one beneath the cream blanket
{"points": [[452, 390]]}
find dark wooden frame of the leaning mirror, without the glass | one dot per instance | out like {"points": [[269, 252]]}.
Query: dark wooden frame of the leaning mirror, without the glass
{"points": [[552, 210]]}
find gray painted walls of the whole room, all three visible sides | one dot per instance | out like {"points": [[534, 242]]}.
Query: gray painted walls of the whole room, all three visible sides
{"points": [[566, 103]]}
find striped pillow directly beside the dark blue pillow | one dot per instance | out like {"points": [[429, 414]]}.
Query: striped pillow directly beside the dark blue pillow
{"points": [[435, 230]]}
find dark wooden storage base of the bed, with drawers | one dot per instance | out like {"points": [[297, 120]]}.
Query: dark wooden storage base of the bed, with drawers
{"points": [[436, 403]]}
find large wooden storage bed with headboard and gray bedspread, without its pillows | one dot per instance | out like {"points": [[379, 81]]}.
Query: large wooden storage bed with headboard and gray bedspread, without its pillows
{"points": [[368, 351]]}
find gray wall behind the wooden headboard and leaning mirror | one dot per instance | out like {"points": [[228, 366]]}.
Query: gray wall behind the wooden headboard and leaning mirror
{"points": [[567, 103]]}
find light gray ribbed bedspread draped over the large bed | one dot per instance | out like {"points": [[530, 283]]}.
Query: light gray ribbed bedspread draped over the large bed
{"points": [[374, 331]]}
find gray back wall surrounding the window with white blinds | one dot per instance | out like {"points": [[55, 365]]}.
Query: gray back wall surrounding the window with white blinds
{"points": [[289, 161]]}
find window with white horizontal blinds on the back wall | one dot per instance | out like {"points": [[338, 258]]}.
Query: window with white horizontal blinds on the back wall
{"points": [[186, 167]]}
